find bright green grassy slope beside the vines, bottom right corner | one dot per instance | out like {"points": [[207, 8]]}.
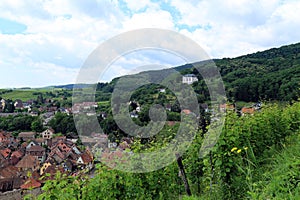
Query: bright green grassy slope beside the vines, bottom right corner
{"points": [[281, 179]]}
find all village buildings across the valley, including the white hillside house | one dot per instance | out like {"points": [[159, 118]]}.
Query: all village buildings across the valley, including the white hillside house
{"points": [[31, 158]]}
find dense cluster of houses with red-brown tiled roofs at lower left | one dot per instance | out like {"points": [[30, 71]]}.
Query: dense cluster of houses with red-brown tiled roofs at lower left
{"points": [[25, 160]]}
